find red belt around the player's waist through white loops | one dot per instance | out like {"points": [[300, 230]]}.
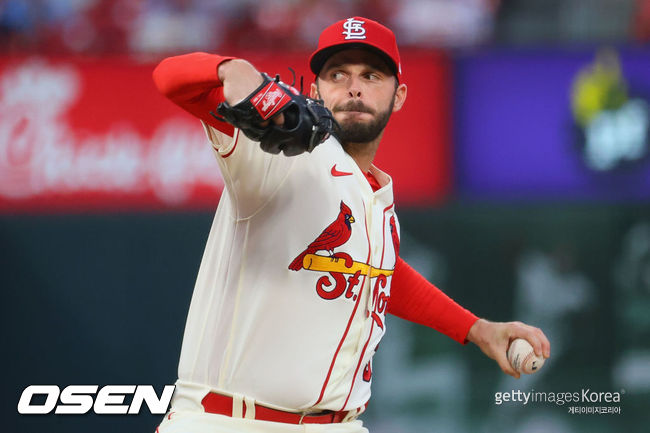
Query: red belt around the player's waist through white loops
{"points": [[222, 405]]}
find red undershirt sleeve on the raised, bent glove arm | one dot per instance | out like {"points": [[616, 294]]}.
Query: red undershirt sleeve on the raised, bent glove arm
{"points": [[192, 82]]}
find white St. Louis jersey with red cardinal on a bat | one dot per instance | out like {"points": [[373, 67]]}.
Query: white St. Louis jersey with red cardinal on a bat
{"points": [[297, 340]]}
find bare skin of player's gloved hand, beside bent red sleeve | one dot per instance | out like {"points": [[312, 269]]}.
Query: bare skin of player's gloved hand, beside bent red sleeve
{"points": [[240, 79]]}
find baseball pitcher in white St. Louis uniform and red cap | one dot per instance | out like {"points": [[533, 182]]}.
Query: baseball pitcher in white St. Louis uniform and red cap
{"points": [[302, 262]]}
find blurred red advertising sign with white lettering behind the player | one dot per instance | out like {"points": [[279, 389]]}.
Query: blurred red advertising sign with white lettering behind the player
{"points": [[84, 135]]}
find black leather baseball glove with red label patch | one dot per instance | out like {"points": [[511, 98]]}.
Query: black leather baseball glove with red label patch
{"points": [[307, 122]]}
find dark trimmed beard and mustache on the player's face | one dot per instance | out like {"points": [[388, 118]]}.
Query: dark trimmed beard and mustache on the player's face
{"points": [[354, 131]]}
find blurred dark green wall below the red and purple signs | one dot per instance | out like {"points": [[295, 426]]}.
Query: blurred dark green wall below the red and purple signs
{"points": [[102, 299]]}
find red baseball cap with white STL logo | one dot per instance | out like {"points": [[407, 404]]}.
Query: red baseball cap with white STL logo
{"points": [[357, 32]]}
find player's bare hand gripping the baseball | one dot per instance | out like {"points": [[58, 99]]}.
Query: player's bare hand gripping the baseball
{"points": [[493, 338]]}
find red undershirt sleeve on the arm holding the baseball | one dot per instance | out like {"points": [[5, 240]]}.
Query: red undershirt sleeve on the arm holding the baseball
{"points": [[415, 299]]}
